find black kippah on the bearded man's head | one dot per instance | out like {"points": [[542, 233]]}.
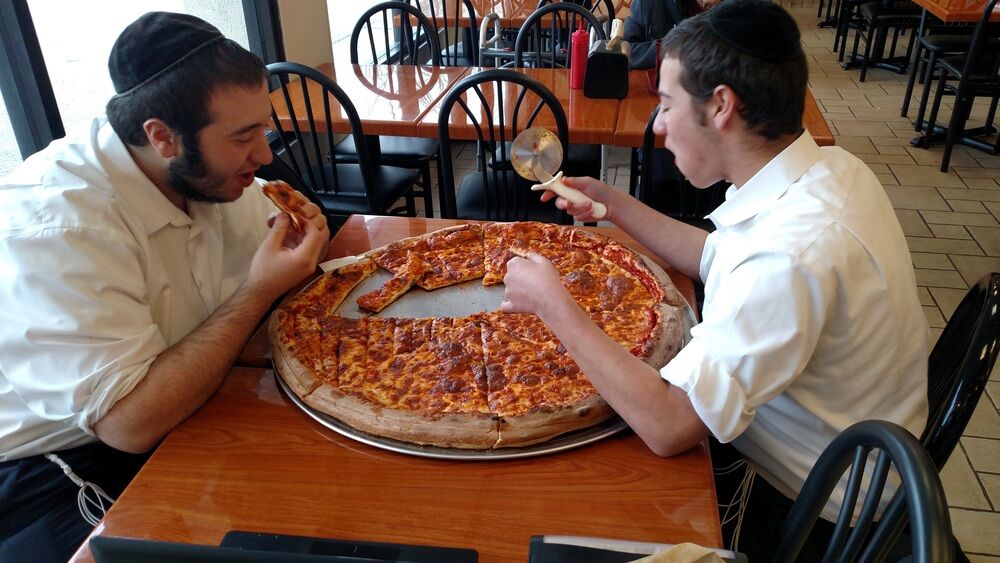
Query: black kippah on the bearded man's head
{"points": [[154, 44]]}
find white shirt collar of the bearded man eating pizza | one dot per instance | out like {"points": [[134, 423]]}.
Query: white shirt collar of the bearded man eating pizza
{"points": [[152, 207]]}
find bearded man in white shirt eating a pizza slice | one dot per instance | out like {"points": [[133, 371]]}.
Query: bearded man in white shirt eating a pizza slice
{"points": [[137, 260]]}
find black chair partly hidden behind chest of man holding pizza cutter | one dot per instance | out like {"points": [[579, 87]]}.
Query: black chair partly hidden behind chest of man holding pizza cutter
{"points": [[673, 195]]}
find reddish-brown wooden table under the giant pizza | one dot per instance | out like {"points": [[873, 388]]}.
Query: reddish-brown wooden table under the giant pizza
{"points": [[251, 460]]}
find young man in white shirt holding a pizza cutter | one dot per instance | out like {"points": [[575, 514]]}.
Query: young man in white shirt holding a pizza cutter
{"points": [[811, 319]]}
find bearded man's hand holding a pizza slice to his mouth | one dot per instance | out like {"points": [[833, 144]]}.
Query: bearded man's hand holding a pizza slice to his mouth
{"points": [[276, 267]]}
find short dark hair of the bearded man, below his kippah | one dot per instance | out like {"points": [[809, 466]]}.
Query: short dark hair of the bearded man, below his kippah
{"points": [[181, 96]]}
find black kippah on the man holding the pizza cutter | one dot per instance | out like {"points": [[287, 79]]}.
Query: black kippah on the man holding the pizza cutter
{"points": [[758, 27]]}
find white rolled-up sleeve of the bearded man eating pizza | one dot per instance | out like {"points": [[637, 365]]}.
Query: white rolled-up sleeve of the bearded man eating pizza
{"points": [[76, 329]]}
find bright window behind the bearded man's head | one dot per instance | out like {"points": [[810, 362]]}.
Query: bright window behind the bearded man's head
{"points": [[53, 59]]}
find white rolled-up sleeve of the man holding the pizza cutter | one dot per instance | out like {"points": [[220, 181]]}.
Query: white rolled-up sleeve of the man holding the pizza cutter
{"points": [[760, 328]]}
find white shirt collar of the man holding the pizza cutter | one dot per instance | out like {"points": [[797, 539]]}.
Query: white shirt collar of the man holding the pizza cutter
{"points": [[768, 184]]}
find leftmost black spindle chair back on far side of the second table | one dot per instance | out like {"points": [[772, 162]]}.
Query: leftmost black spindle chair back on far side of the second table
{"points": [[395, 32]]}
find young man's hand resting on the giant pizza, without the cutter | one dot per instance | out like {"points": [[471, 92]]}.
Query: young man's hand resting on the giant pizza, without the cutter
{"points": [[531, 283]]}
